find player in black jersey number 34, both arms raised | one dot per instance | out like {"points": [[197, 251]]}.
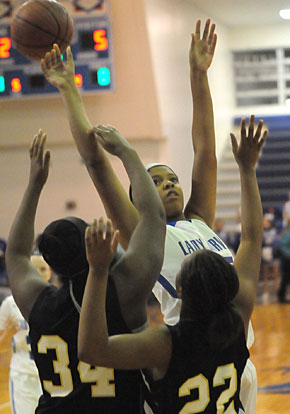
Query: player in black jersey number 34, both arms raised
{"points": [[69, 385]]}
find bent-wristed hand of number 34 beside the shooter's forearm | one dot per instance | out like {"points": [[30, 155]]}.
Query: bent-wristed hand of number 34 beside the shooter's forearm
{"points": [[110, 139]]}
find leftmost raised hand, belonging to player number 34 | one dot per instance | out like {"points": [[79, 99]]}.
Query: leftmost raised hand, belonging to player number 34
{"points": [[39, 160]]}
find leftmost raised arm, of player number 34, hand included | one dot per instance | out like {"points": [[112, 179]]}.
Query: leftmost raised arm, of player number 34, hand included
{"points": [[25, 281]]}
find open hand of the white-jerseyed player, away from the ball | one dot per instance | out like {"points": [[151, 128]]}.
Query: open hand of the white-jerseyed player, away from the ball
{"points": [[202, 49]]}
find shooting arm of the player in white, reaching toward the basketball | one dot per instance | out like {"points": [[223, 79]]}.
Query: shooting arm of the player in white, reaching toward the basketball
{"points": [[115, 199]]}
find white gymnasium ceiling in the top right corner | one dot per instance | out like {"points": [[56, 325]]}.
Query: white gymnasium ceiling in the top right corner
{"points": [[244, 12]]}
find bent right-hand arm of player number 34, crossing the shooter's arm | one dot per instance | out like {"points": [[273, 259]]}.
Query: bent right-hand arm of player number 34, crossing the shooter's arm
{"points": [[139, 268]]}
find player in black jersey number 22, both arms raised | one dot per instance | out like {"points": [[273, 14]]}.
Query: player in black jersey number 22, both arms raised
{"points": [[196, 365]]}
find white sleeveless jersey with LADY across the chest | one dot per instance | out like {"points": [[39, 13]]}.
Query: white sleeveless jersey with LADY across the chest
{"points": [[184, 237]]}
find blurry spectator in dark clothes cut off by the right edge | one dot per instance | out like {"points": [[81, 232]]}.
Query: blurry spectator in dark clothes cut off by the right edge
{"points": [[284, 249]]}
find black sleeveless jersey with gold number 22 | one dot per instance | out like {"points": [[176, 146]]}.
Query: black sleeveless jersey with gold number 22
{"points": [[200, 379]]}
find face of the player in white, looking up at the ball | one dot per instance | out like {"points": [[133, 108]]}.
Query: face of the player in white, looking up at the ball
{"points": [[169, 191]]}
